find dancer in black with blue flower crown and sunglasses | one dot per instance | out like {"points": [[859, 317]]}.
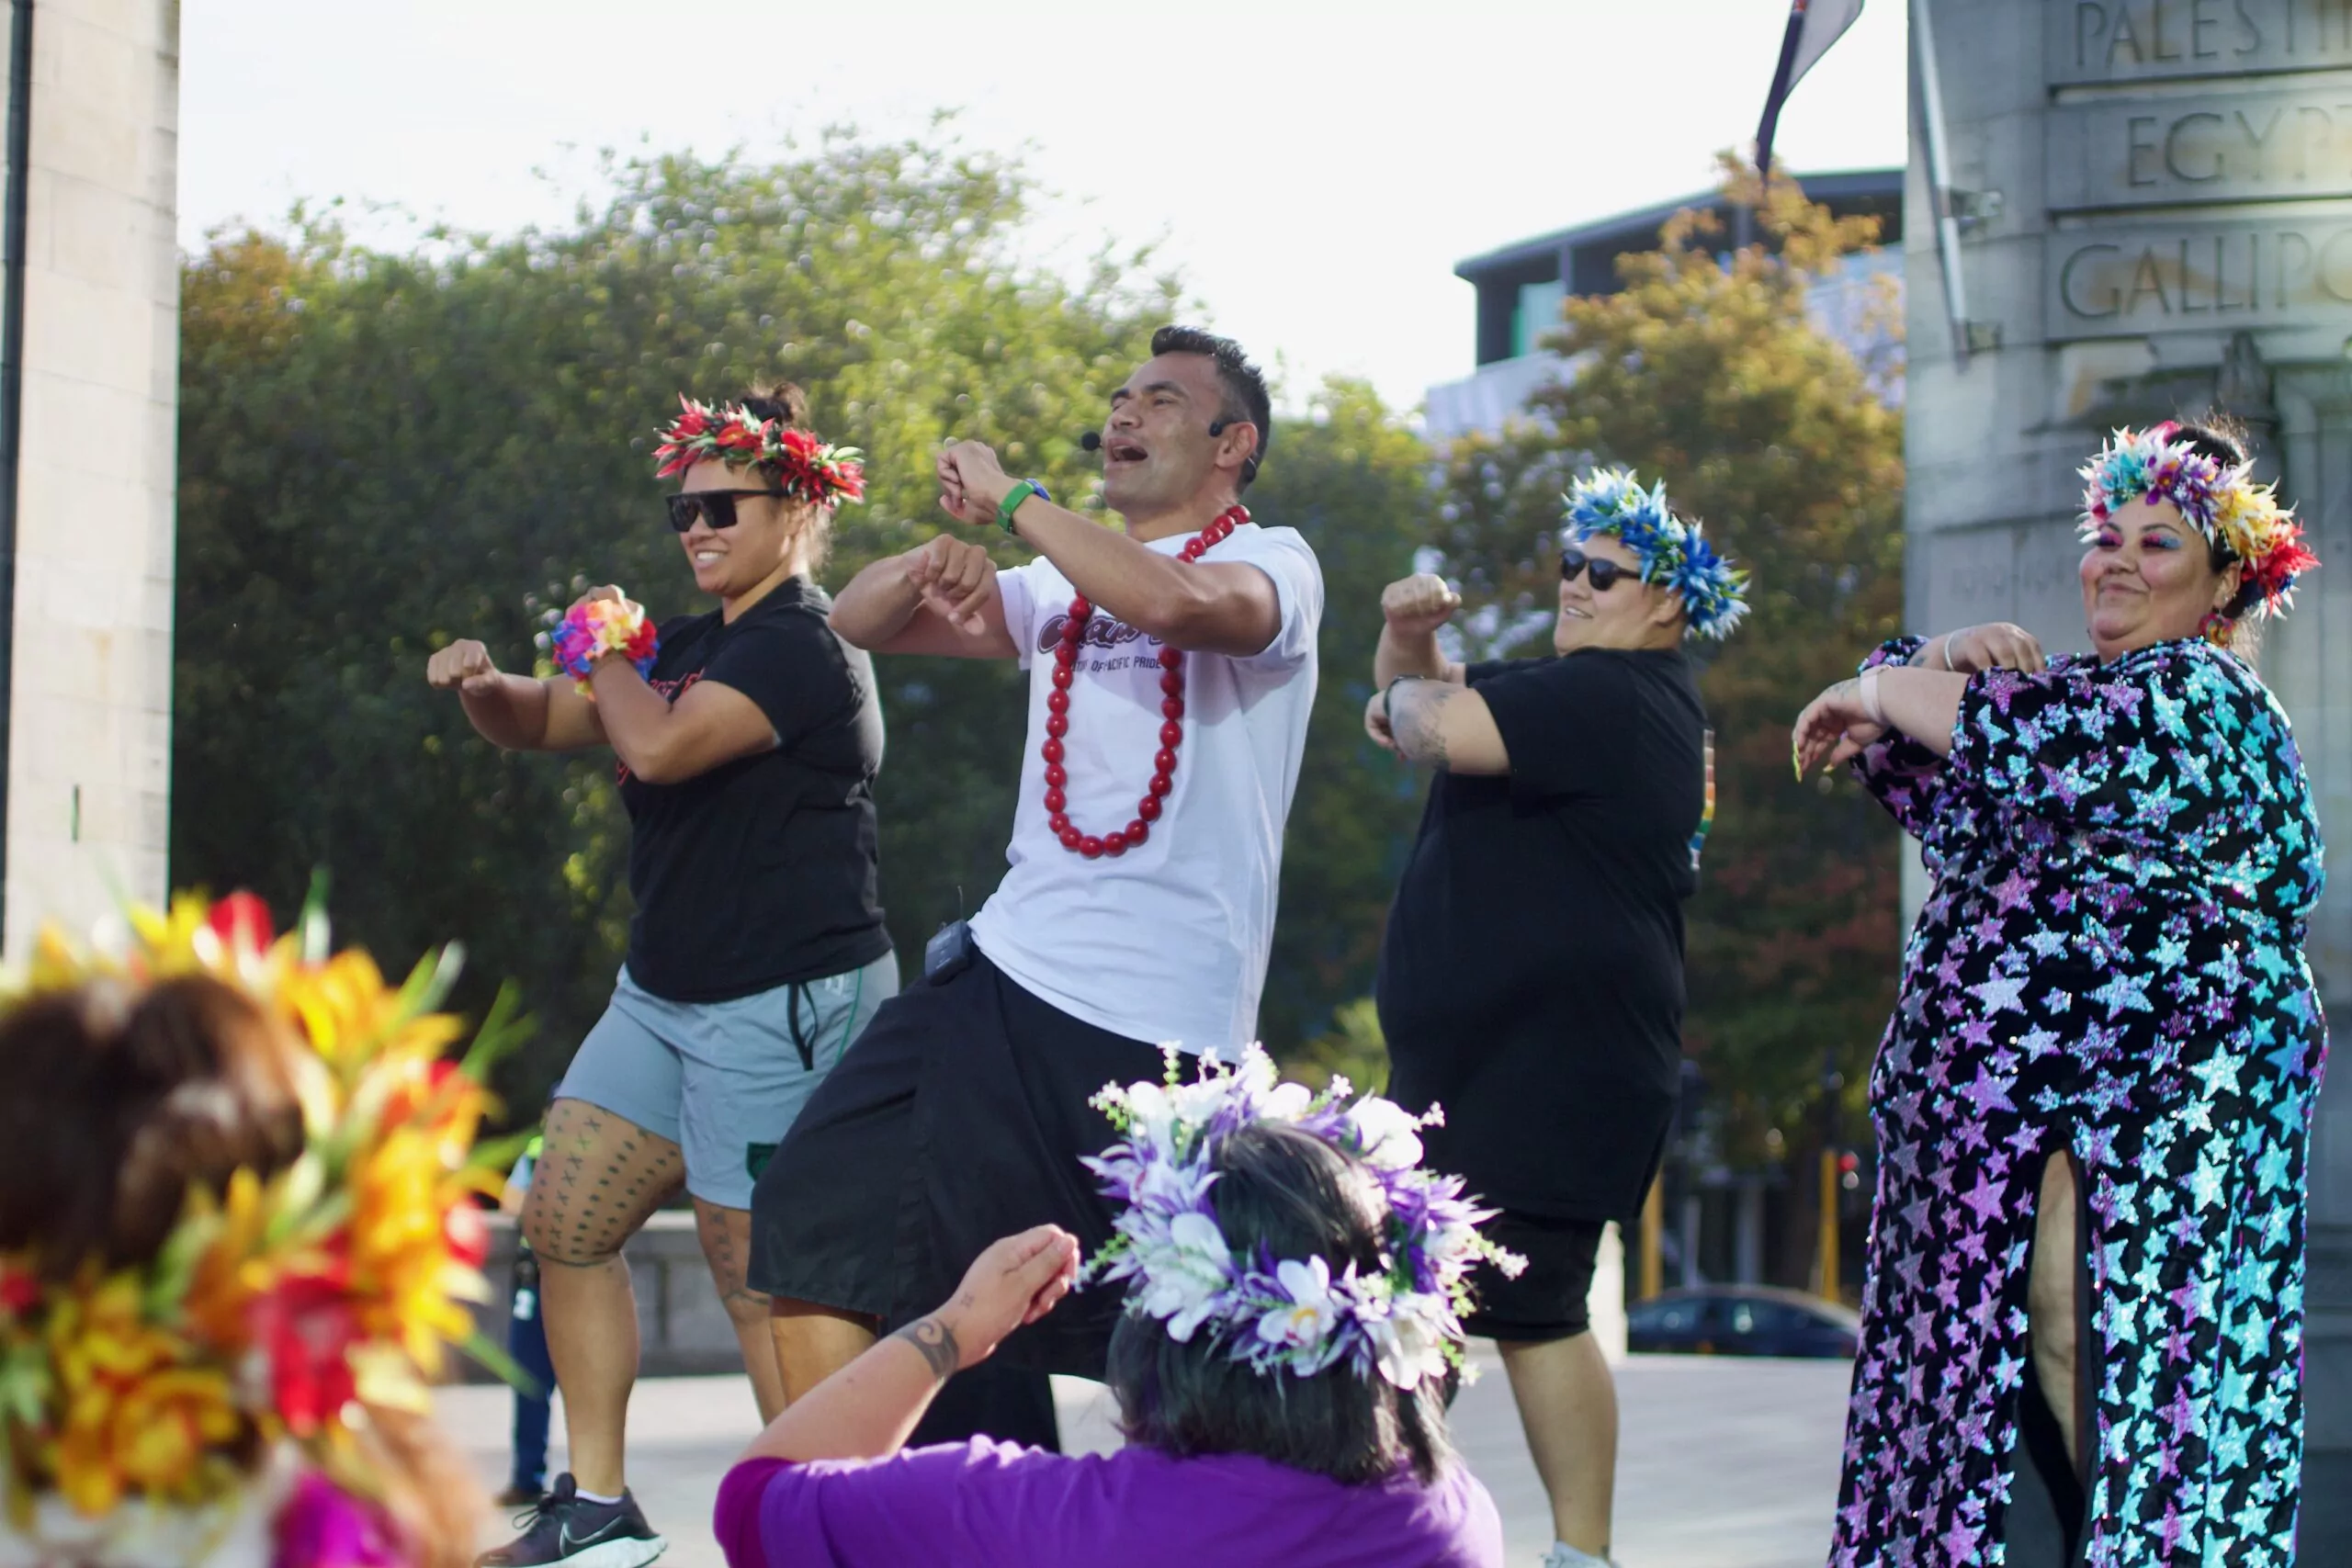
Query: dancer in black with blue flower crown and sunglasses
{"points": [[1532, 963]]}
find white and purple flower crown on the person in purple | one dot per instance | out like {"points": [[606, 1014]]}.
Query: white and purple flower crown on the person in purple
{"points": [[1285, 1313]]}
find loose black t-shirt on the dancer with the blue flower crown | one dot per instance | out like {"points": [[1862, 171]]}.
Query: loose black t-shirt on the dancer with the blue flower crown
{"points": [[1532, 967]]}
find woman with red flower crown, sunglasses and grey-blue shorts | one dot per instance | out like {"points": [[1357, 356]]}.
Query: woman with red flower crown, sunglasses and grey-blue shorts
{"points": [[749, 742]]}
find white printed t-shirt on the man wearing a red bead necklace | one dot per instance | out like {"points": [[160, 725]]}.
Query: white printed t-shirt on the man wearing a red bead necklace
{"points": [[1168, 942]]}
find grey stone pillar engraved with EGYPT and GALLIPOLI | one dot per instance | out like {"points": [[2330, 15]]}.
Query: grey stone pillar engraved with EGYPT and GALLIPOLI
{"points": [[2158, 217]]}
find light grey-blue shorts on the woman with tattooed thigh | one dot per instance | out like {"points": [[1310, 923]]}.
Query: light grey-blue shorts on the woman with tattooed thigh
{"points": [[723, 1080]]}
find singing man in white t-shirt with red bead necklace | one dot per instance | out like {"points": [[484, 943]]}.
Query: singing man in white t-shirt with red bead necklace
{"points": [[1172, 671]]}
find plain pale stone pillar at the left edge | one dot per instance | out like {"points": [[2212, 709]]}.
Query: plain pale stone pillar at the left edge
{"points": [[91, 695]]}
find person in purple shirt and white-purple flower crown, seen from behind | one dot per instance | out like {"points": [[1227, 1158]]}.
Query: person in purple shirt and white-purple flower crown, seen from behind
{"points": [[1283, 1365]]}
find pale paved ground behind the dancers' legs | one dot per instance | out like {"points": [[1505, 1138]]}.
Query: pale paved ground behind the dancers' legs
{"points": [[1723, 1466]]}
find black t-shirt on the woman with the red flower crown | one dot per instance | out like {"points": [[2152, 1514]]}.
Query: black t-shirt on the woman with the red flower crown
{"points": [[763, 871]]}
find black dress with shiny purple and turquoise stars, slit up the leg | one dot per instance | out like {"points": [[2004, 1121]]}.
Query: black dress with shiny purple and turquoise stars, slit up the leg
{"points": [[2111, 963]]}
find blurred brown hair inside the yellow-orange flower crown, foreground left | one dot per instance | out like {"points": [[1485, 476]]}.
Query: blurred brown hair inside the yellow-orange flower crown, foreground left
{"points": [[121, 1101]]}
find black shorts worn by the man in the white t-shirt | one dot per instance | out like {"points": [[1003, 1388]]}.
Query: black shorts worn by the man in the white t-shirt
{"points": [[958, 1118]]}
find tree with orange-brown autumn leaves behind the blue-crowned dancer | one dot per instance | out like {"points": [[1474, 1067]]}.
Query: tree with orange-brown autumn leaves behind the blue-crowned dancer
{"points": [[1709, 370]]}
